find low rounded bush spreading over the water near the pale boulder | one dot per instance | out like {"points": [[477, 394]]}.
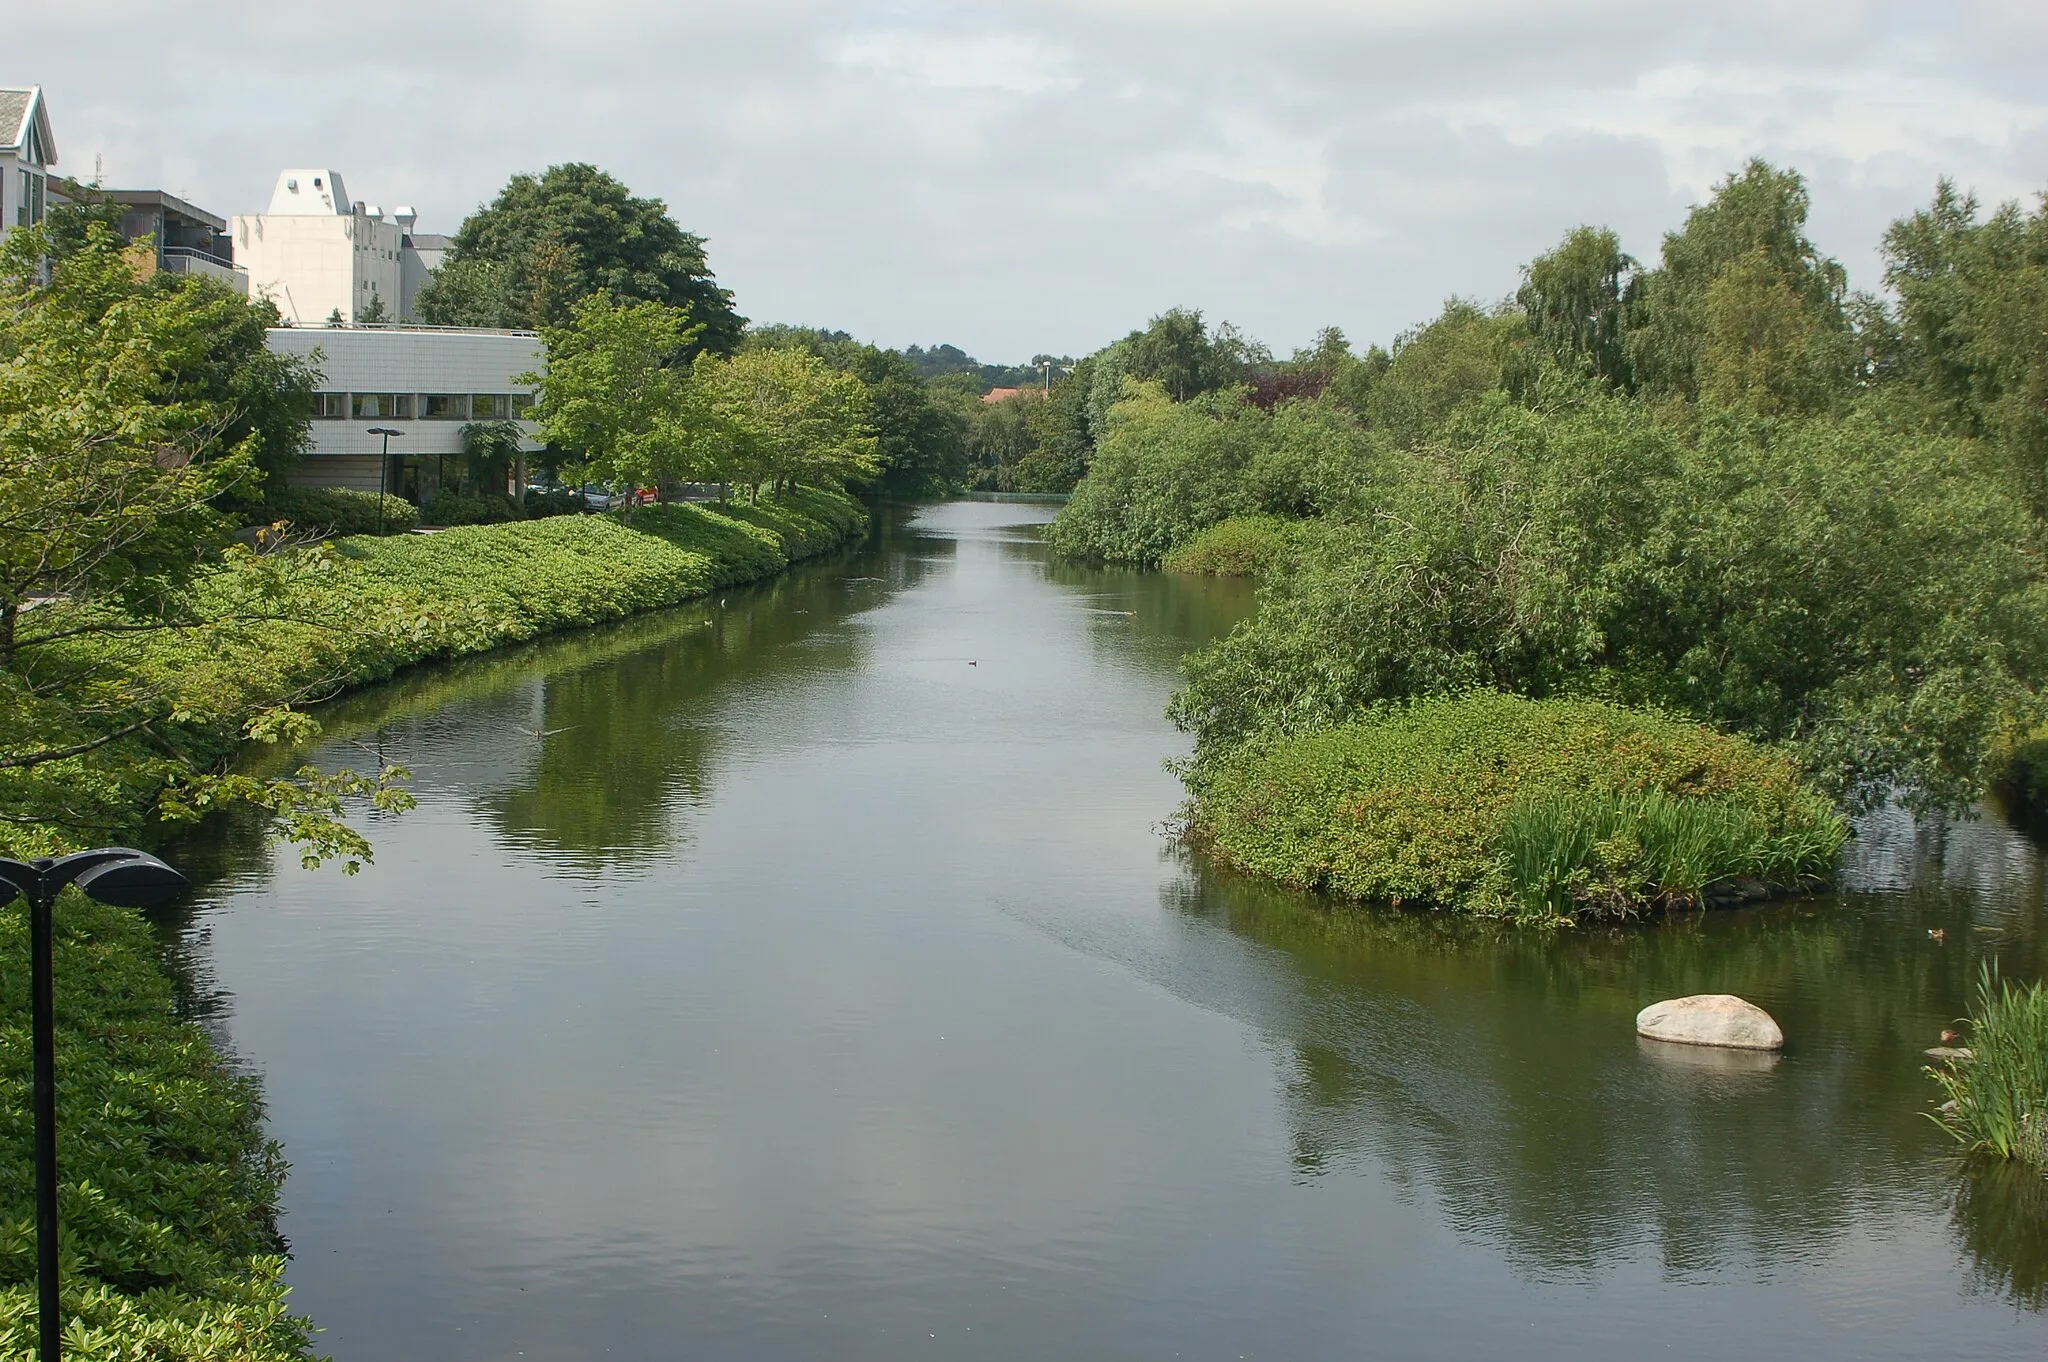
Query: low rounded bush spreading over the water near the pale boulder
{"points": [[1504, 806]]}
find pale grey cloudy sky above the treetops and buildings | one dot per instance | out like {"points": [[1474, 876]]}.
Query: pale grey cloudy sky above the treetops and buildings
{"points": [[1048, 175]]}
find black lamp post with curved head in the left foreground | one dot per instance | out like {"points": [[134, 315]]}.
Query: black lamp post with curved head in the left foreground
{"points": [[112, 876]]}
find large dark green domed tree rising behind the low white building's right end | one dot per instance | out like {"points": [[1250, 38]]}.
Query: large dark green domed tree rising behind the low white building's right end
{"points": [[562, 237]]}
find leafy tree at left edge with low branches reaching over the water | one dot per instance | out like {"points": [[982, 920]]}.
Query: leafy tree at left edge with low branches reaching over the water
{"points": [[122, 429]]}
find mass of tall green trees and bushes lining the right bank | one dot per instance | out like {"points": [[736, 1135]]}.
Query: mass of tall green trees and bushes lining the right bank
{"points": [[1719, 488]]}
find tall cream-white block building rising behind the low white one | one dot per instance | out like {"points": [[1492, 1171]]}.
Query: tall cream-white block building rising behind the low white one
{"points": [[318, 253]]}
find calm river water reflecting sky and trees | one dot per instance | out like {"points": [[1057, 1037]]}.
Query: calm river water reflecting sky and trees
{"points": [[806, 978]]}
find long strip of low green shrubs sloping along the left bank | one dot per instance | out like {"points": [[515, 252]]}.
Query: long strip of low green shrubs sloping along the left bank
{"points": [[366, 607]]}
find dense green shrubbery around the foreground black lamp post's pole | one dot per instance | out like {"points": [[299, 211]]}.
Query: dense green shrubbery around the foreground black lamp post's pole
{"points": [[169, 1183]]}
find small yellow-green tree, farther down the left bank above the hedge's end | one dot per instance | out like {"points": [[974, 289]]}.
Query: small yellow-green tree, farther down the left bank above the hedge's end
{"points": [[785, 417]]}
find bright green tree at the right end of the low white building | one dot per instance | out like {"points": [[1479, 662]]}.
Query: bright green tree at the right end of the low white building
{"points": [[620, 394]]}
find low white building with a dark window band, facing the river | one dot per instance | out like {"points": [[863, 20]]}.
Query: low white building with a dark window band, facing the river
{"points": [[429, 384]]}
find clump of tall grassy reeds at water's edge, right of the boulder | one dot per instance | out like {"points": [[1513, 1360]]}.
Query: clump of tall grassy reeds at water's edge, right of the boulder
{"points": [[1998, 1099]]}
